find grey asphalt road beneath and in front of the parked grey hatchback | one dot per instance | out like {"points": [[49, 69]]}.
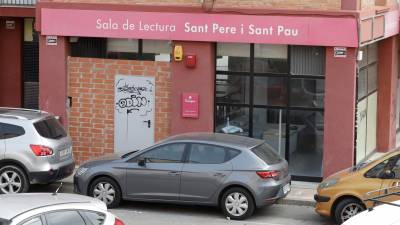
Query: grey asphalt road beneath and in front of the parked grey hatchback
{"points": [[133, 213]]}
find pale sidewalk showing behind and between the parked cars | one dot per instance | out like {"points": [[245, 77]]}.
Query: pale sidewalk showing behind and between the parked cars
{"points": [[302, 193]]}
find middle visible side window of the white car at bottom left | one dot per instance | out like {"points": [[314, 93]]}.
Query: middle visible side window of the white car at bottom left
{"points": [[64, 218]]}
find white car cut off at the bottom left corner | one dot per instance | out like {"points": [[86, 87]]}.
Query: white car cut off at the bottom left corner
{"points": [[54, 209]]}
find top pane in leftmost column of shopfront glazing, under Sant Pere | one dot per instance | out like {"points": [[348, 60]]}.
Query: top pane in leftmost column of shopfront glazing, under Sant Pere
{"points": [[233, 57]]}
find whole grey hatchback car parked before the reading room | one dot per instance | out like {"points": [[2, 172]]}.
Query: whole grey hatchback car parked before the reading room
{"points": [[233, 172]]}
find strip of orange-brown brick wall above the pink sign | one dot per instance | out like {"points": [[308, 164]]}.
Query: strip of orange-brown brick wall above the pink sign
{"points": [[283, 4]]}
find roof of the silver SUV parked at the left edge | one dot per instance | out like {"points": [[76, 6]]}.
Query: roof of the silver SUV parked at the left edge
{"points": [[21, 113]]}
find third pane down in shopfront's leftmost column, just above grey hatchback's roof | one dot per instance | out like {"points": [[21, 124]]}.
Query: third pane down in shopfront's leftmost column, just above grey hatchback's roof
{"points": [[232, 120]]}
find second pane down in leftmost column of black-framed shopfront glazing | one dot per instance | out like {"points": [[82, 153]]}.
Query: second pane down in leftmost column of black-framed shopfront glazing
{"points": [[232, 89]]}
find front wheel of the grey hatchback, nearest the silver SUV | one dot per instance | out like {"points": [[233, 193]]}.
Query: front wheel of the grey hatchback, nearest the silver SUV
{"points": [[106, 190]]}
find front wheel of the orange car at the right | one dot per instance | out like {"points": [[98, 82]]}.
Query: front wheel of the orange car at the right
{"points": [[347, 208]]}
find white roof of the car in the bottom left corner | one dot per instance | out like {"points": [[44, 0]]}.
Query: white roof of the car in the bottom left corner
{"points": [[12, 205]]}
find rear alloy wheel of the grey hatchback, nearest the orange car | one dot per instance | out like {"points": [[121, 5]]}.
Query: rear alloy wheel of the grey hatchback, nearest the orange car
{"points": [[236, 204]]}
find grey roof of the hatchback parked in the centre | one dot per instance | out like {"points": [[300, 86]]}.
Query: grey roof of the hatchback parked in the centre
{"points": [[228, 140]]}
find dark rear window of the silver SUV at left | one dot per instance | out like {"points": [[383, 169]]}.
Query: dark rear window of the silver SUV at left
{"points": [[50, 128]]}
